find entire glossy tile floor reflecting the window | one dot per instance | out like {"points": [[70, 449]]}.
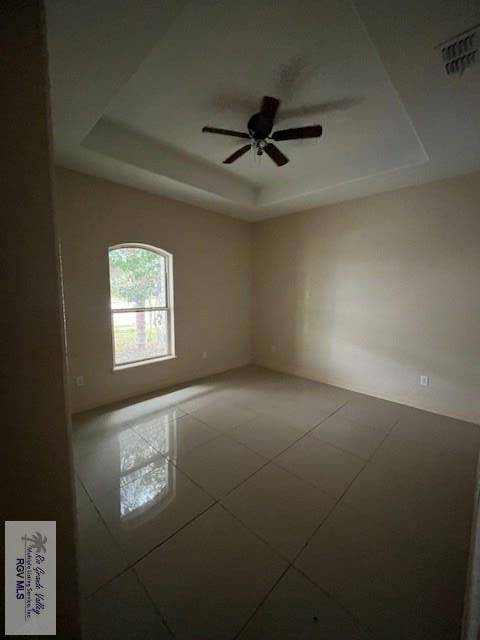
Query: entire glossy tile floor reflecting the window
{"points": [[255, 505]]}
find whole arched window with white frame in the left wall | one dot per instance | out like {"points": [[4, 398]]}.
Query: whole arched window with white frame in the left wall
{"points": [[141, 300]]}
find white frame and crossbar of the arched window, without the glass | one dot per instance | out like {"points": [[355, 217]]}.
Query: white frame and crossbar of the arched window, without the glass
{"points": [[169, 308]]}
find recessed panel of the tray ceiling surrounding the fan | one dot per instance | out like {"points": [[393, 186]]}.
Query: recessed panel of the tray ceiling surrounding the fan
{"points": [[218, 59]]}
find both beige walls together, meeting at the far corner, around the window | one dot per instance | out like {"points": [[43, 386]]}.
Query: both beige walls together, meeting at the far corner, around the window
{"points": [[367, 294]]}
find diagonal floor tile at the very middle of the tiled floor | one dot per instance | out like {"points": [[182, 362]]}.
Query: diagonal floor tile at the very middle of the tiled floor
{"points": [[281, 508]]}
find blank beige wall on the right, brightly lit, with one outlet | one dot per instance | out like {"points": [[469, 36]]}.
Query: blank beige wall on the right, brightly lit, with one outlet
{"points": [[372, 293]]}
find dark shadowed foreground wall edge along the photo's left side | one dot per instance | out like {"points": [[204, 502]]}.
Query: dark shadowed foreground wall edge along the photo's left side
{"points": [[38, 483]]}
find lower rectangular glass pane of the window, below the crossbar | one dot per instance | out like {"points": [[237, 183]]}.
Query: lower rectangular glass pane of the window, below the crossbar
{"points": [[139, 335]]}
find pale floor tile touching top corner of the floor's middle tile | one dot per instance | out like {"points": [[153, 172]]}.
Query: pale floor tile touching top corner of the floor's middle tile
{"points": [[266, 435]]}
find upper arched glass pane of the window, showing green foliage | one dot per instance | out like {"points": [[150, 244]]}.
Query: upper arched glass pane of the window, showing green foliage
{"points": [[137, 278]]}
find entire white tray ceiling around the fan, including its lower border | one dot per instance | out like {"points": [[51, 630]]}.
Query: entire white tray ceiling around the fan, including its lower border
{"points": [[133, 82]]}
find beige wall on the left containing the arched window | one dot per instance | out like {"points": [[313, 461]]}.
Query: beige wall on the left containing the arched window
{"points": [[212, 284]]}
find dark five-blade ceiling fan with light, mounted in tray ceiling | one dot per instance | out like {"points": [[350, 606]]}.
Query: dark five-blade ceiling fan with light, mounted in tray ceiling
{"points": [[260, 134]]}
